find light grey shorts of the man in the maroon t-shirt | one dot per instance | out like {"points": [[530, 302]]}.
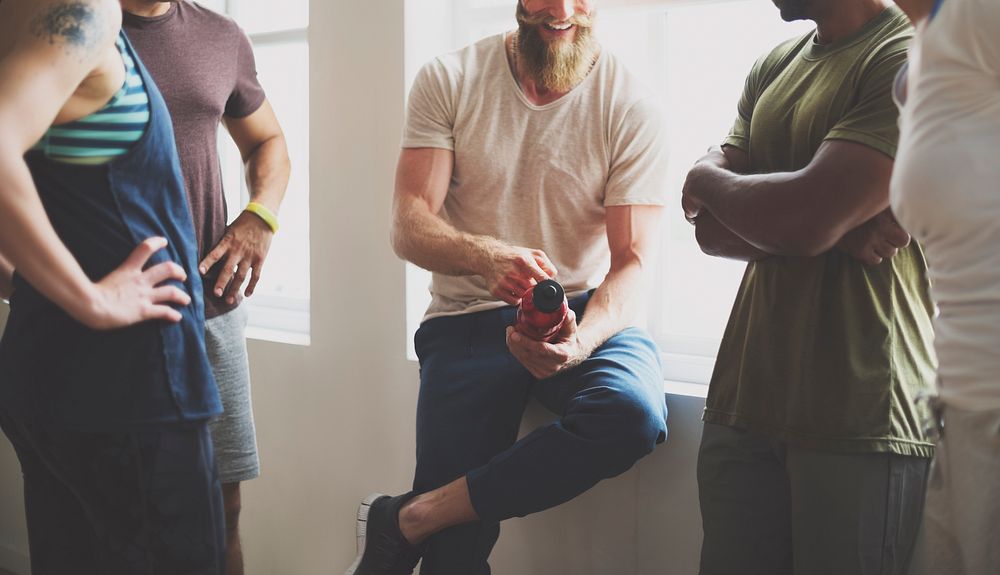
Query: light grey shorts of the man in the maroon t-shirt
{"points": [[233, 437]]}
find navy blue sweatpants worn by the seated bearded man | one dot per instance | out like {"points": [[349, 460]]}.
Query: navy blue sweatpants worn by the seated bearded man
{"points": [[473, 393]]}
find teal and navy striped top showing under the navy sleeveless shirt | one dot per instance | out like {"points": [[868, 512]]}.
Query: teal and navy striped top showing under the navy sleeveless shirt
{"points": [[107, 133]]}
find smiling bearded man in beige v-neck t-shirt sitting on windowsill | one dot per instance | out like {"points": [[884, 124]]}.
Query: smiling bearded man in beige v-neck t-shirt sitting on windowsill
{"points": [[528, 155]]}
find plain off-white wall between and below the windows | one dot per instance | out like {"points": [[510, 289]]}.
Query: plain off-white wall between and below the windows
{"points": [[335, 420]]}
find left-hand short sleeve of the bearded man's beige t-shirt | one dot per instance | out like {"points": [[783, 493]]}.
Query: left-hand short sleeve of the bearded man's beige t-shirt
{"points": [[430, 113]]}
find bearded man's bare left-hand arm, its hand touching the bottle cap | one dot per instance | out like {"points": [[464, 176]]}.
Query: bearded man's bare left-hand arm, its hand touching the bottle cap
{"points": [[421, 236]]}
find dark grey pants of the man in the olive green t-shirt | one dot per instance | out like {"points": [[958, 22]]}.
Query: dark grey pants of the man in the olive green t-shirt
{"points": [[772, 509]]}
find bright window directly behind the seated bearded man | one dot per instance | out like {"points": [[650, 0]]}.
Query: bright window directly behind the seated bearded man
{"points": [[695, 55]]}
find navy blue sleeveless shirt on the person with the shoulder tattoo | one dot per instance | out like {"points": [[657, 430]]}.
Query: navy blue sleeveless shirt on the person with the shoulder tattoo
{"points": [[54, 368]]}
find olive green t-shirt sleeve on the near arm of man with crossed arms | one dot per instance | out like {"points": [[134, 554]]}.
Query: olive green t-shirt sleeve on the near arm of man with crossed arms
{"points": [[873, 118]]}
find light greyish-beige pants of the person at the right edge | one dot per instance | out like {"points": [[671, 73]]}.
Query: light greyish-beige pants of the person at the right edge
{"points": [[961, 531]]}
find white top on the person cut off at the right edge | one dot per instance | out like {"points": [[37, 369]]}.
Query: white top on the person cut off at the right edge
{"points": [[946, 190]]}
